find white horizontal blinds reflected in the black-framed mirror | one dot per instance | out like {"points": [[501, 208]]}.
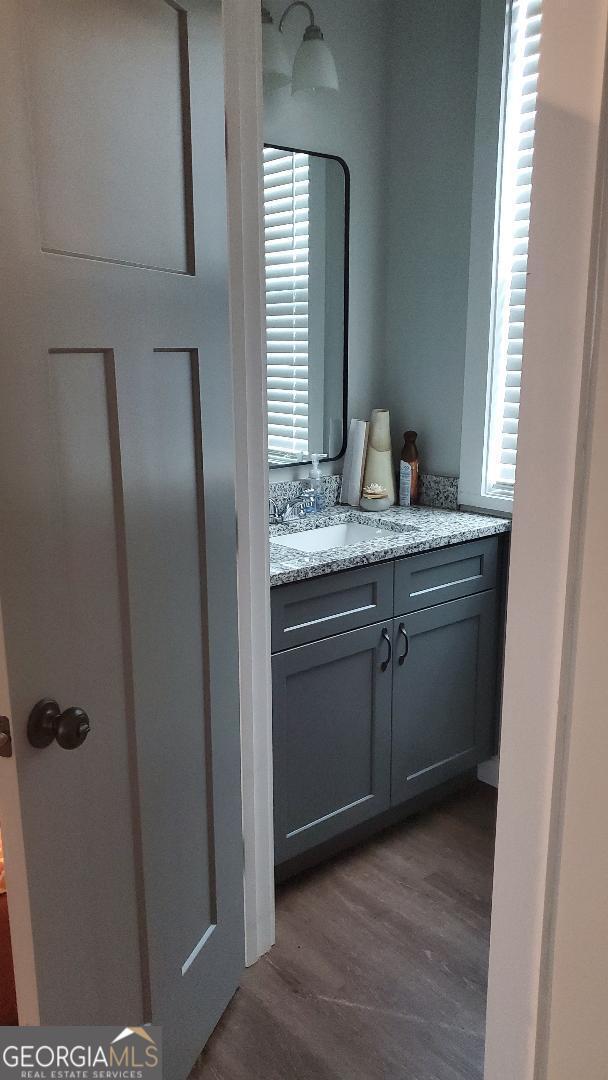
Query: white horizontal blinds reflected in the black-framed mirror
{"points": [[287, 245]]}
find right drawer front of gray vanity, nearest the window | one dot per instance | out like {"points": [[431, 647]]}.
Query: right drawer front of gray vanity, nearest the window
{"points": [[425, 580]]}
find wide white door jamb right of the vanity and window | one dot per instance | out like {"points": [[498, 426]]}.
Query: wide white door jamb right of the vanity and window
{"points": [[553, 431]]}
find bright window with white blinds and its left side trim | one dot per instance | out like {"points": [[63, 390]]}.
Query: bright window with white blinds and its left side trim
{"points": [[492, 396]]}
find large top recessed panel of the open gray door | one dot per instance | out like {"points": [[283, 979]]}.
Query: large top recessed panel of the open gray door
{"points": [[113, 185]]}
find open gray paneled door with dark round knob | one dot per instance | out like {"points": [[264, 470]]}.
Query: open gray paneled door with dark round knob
{"points": [[118, 539]]}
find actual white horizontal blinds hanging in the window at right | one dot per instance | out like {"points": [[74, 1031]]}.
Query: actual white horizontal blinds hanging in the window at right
{"points": [[512, 248]]}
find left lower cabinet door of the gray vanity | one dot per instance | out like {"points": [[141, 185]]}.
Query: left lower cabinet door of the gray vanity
{"points": [[332, 735]]}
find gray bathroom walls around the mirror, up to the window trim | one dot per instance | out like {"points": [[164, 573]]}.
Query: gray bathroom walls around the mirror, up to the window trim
{"points": [[406, 124]]}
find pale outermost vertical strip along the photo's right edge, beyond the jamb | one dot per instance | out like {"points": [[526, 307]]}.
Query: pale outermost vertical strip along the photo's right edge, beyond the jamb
{"points": [[573, 1032]]}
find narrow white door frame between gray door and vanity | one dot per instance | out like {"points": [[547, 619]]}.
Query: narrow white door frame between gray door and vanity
{"points": [[245, 142]]}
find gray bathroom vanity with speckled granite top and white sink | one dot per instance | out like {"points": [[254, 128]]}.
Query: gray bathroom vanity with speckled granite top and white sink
{"points": [[386, 668]]}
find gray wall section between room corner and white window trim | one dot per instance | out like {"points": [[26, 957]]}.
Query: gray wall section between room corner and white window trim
{"points": [[433, 98]]}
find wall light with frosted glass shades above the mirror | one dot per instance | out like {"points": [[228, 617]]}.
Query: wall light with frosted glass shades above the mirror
{"points": [[314, 69]]}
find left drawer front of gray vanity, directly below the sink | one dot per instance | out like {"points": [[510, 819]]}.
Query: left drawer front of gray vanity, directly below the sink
{"points": [[310, 611]]}
